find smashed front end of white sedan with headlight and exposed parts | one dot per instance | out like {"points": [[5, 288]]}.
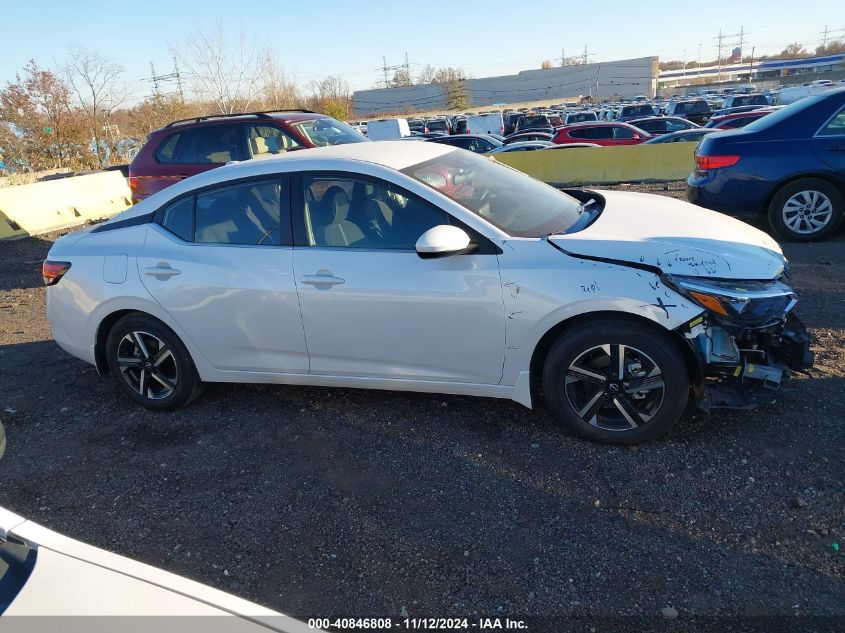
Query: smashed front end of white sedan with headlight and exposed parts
{"points": [[748, 341]]}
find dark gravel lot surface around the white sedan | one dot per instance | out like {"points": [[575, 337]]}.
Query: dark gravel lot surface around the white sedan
{"points": [[321, 502]]}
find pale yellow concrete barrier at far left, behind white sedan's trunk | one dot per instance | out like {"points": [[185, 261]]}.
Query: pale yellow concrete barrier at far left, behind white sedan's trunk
{"points": [[56, 204]]}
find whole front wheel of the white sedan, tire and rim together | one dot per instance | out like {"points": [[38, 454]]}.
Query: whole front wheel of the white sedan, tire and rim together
{"points": [[615, 381]]}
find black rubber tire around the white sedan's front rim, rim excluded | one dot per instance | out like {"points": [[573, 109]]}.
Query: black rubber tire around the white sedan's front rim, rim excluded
{"points": [[659, 345]]}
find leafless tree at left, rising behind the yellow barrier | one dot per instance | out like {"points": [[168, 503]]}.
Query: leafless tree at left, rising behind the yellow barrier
{"points": [[95, 81]]}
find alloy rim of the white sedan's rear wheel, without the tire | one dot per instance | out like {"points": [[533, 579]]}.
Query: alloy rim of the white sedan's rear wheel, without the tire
{"points": [[147, 365]]}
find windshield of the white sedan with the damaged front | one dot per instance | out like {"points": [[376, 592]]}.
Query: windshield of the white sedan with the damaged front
{"points": [[506, 198]]}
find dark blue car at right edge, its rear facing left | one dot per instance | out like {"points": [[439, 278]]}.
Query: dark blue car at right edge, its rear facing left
{"points": [[788, 165]]}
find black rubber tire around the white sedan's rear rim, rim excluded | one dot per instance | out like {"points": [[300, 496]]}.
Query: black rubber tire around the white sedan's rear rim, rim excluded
{"points": [[188, 383]]}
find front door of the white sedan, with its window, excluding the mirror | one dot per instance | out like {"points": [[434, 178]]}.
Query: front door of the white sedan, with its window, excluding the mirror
{"points": [[371, 307]]}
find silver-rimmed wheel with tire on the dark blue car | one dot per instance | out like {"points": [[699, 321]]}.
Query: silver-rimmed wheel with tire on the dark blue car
{"points": [[806, 210]]}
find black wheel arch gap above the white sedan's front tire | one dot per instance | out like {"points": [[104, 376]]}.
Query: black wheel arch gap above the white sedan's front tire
{"points": [[544, 345]]}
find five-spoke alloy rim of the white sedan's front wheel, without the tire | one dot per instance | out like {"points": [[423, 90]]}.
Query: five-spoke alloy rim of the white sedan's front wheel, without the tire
{"points": [[614, 387]]}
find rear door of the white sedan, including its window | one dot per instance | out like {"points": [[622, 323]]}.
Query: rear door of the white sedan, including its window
{"points": [[220, 263]]}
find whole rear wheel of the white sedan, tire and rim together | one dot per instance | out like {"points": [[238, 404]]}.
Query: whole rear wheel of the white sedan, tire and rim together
{"points": [[150, 364]]}
